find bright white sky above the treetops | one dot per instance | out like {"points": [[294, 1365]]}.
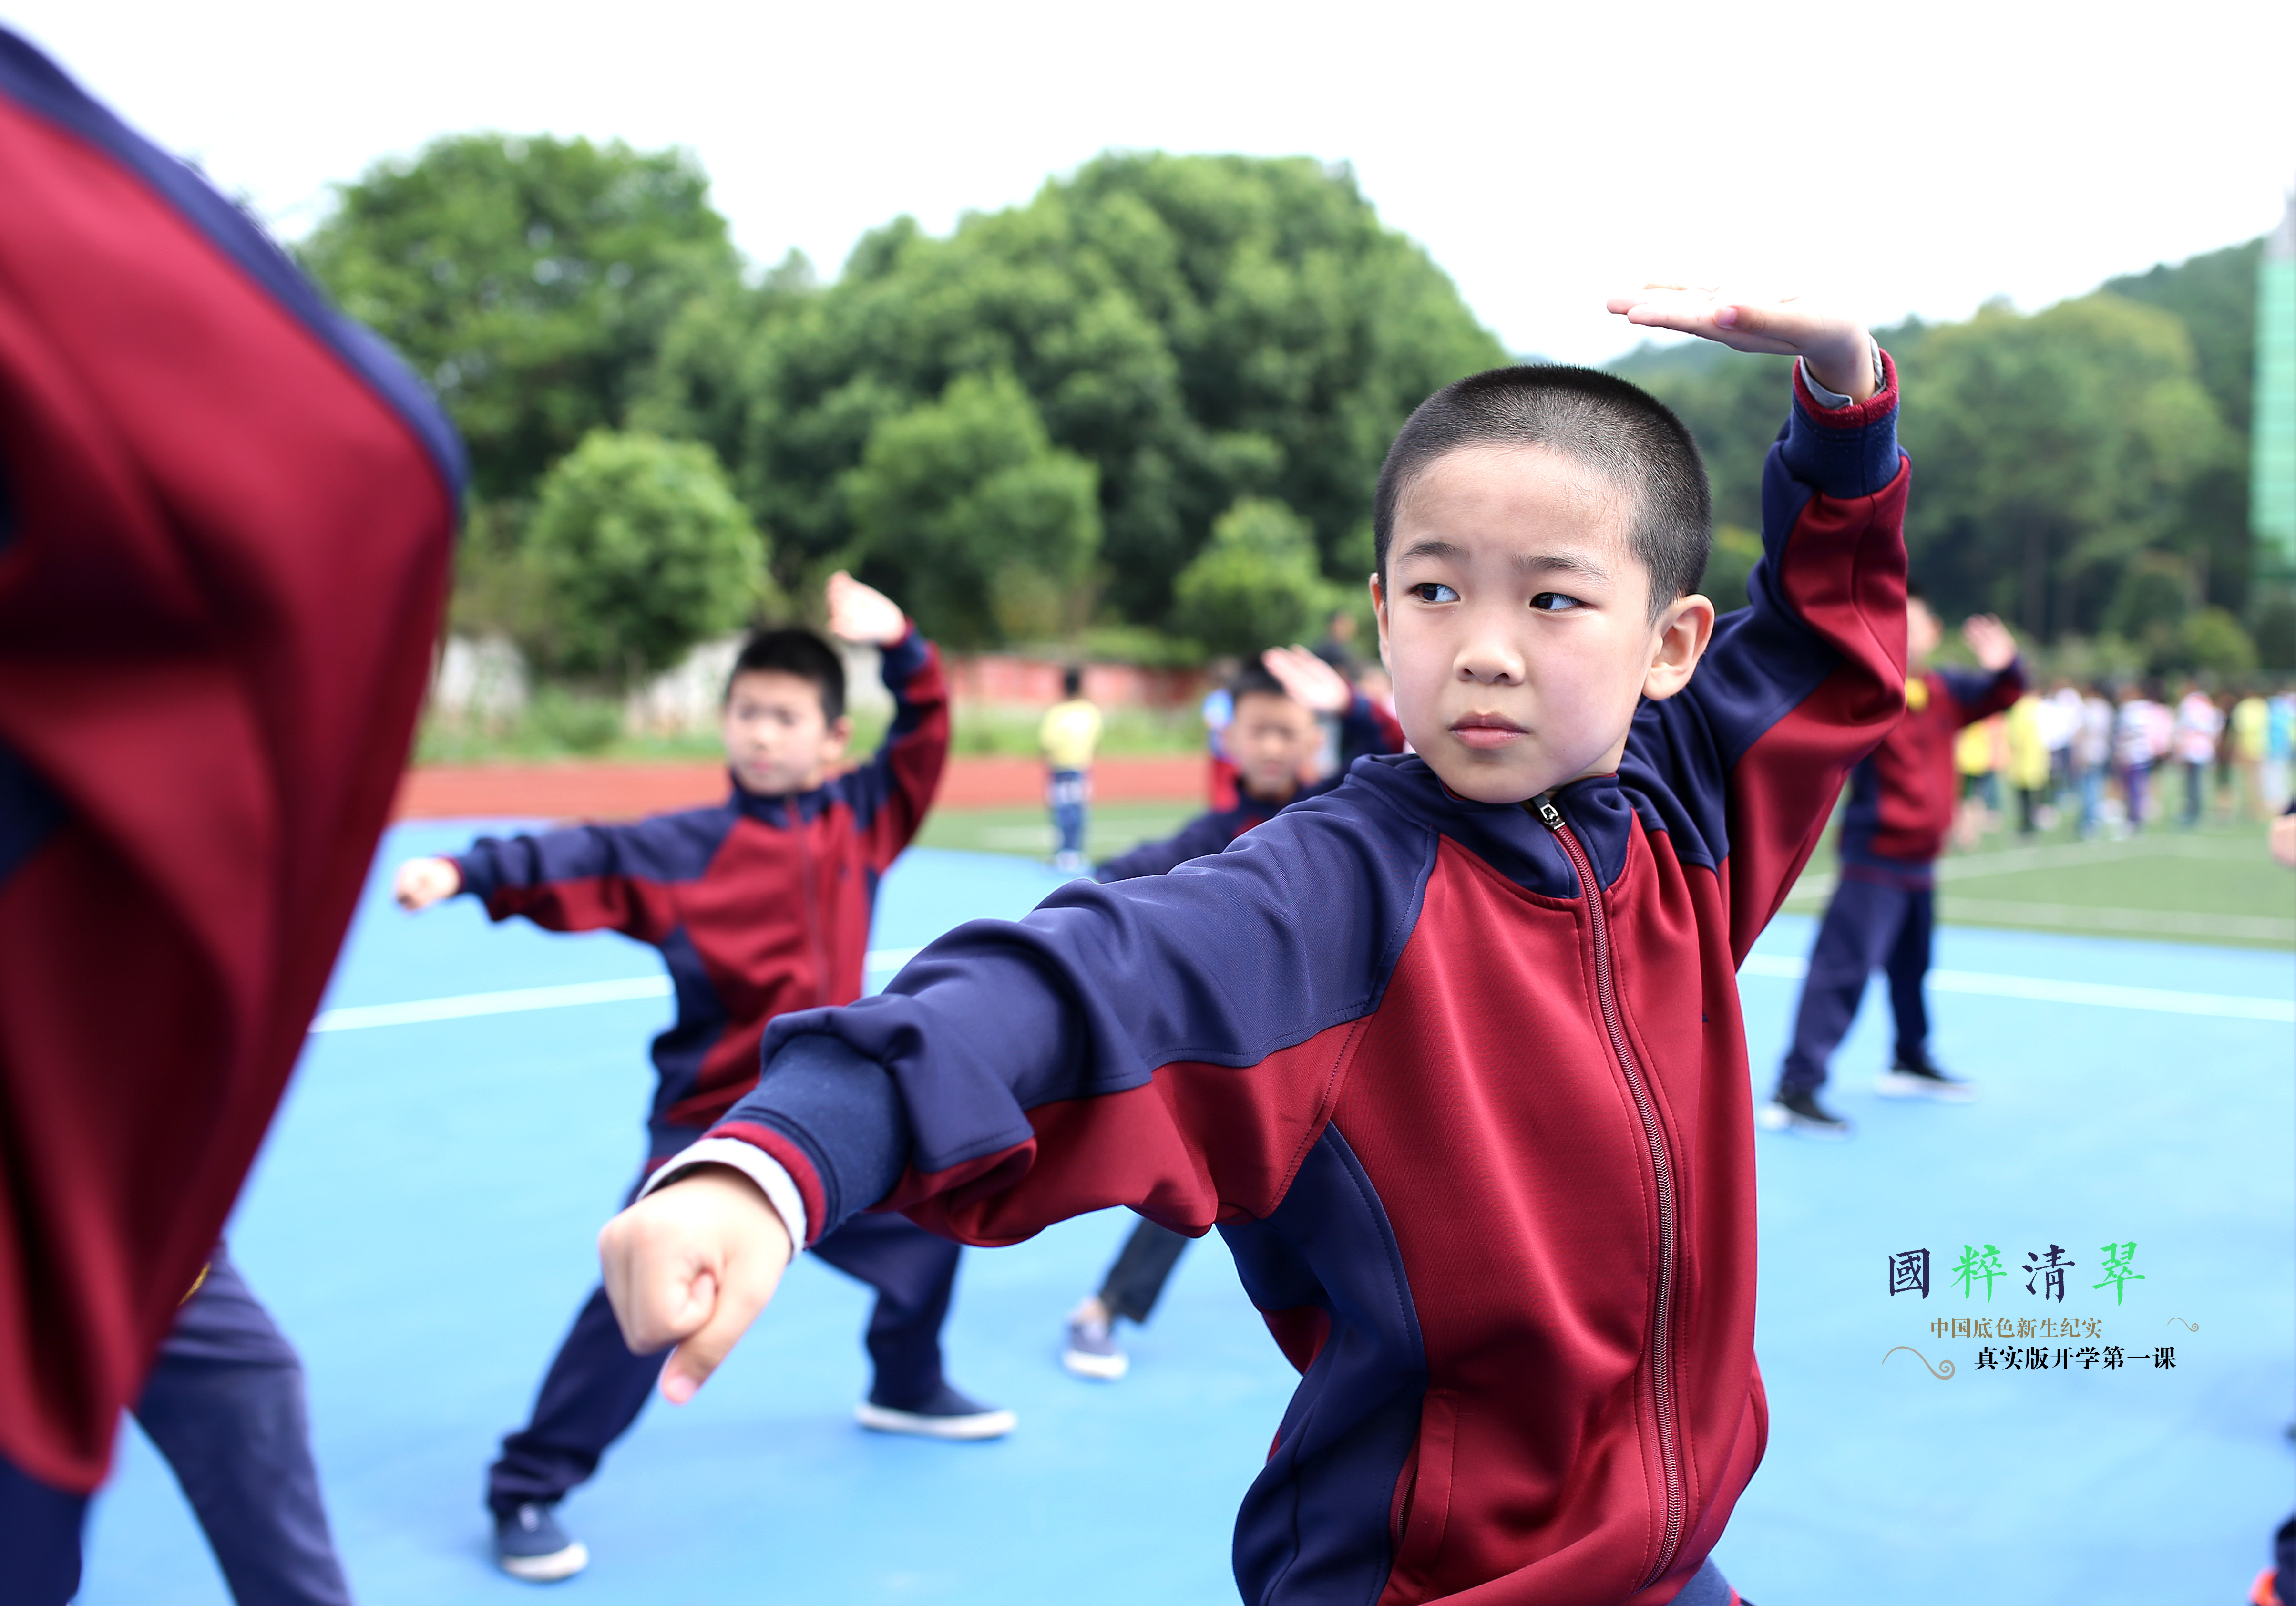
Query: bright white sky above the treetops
{"points": [[1891, 157]]}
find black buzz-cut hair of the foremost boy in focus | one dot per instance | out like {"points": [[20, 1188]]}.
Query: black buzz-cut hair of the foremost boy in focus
{"points": [[1597, 419]]}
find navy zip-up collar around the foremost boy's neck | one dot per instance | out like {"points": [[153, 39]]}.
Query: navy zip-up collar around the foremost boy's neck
{"points": [[1510, 837]]}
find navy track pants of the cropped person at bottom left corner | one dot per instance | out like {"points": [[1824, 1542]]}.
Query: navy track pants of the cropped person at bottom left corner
{"points": [[224, 1405]]}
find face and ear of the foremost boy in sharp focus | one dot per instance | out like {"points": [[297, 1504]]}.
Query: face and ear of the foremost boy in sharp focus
{"points": [[1517, 621]]}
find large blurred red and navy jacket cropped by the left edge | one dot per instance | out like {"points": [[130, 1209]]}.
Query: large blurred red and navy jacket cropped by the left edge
{"points": [[226, 518]]}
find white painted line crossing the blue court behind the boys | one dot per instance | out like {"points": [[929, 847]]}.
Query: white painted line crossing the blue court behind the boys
{"points": [[1783, 966]]}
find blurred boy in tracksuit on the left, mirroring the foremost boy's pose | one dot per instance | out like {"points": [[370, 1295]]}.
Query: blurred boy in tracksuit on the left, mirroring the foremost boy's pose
{"points": [[759, 906]]}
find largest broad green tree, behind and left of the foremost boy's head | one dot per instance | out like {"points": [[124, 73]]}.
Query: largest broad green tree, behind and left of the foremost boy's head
{"points": [[1195, 327]]}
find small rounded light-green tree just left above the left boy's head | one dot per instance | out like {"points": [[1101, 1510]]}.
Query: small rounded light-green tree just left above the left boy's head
{"points": [[639, 550]]}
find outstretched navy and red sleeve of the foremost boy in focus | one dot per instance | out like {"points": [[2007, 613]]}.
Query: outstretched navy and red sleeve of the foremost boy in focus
{"points": [[1023, 1060]]}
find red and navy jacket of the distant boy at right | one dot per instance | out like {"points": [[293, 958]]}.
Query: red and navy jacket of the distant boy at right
{"points": [[1902, 796]]}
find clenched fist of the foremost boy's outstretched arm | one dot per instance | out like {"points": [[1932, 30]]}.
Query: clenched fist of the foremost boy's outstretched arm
{"points": [[692, 1265]]}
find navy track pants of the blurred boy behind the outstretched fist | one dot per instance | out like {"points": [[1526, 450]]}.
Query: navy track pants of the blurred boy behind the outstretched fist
{"points": [[596, 1389]]}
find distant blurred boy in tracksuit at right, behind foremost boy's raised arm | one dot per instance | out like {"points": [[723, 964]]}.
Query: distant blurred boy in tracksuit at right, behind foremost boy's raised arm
{"points": [[1884, 909]]}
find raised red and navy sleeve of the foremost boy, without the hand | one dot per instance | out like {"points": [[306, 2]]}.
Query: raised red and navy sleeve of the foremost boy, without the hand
{"points": [[1799, 686]]}
